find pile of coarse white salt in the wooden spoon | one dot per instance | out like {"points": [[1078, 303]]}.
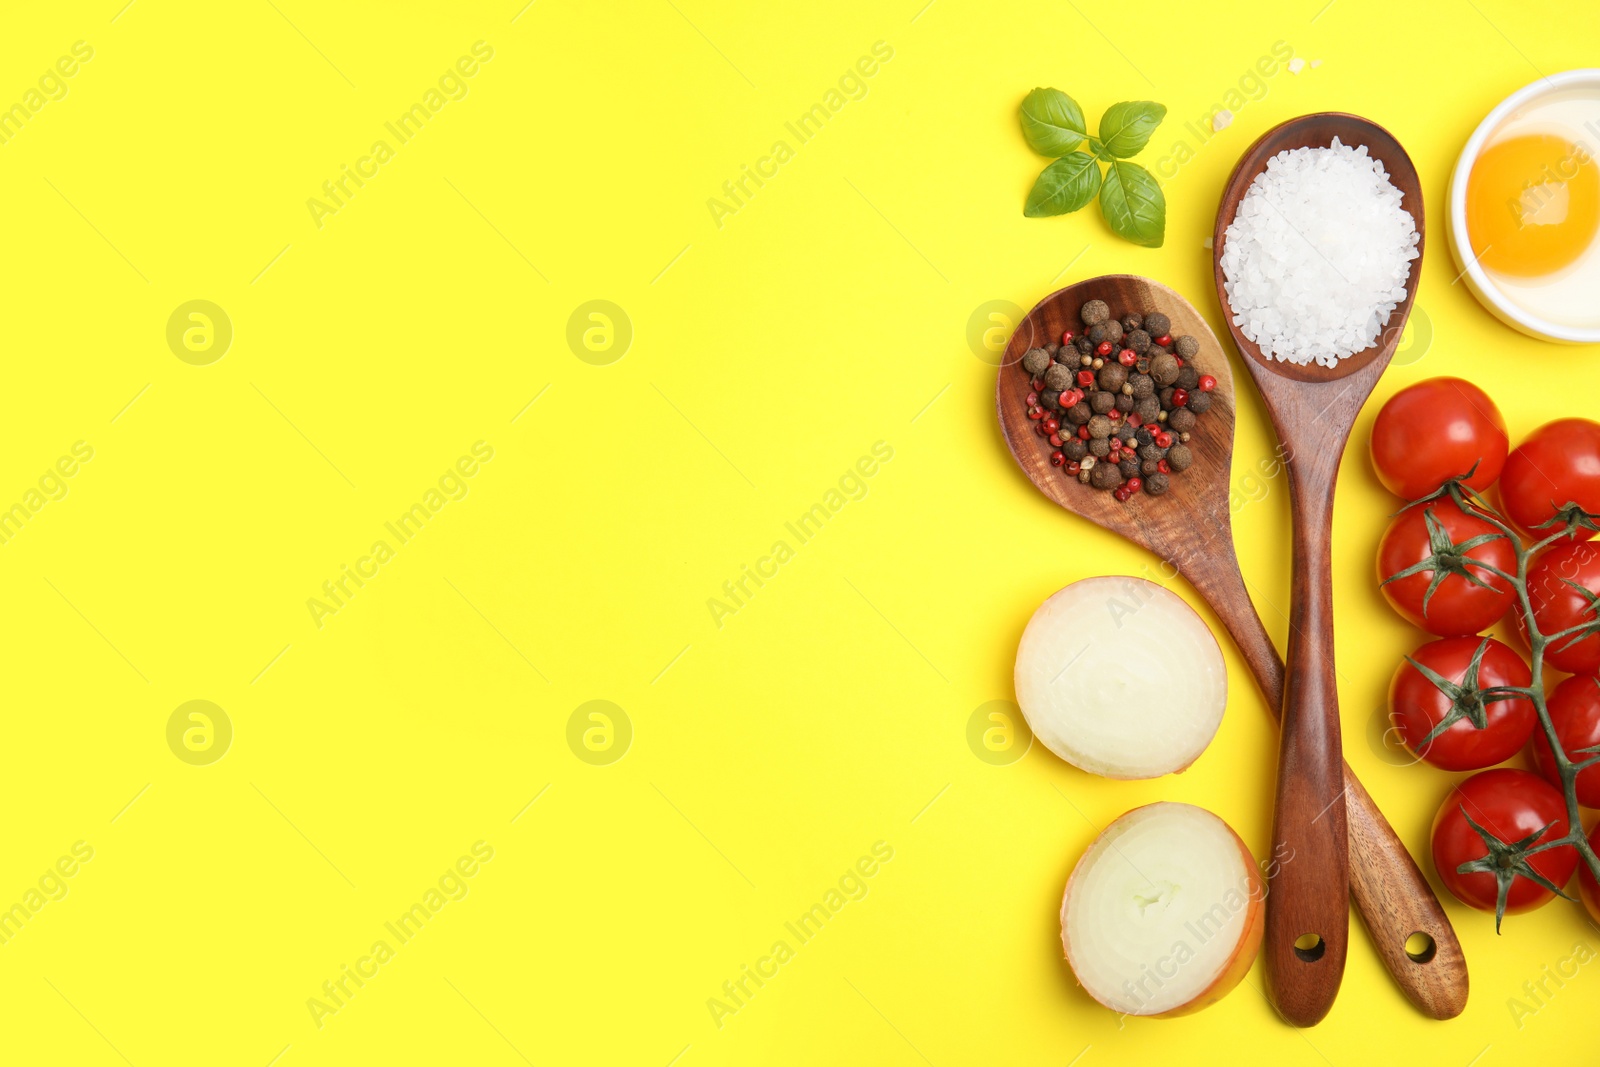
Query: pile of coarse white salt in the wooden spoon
{"points": [[1318, 255]]}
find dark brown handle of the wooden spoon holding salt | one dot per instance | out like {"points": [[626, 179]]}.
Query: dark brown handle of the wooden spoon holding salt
{"points": [[1308, 885]]}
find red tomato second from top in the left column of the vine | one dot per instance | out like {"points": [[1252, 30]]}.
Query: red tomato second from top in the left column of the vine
{"points": [[1458, 607]]}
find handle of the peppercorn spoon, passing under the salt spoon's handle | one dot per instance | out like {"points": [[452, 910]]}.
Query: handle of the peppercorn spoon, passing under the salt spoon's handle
{"points": [[1386, 885]]}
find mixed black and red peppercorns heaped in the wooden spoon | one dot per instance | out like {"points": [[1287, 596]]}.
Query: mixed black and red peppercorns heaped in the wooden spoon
{"points": [[1119, 401]]}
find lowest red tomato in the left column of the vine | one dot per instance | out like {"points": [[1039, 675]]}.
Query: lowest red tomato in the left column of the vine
{"points": [[1511, 805]]}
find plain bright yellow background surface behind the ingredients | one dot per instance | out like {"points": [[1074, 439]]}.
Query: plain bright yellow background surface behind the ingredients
{"points": [[769, 354]]}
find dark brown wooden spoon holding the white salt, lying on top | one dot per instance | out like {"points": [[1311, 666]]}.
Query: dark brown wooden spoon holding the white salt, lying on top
{"points": [[1313, 410]]}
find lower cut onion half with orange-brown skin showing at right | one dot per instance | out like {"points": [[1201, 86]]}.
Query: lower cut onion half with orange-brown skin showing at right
{"points": [[1164, 913]]}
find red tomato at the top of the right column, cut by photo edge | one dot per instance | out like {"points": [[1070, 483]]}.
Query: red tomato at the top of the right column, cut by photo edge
{"points": [[1559, 465]]}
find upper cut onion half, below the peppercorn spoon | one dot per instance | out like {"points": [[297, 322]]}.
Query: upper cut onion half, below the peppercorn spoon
{"points": [[1121, 677]]}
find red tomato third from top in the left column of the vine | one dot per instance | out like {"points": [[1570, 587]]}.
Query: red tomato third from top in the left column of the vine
{"points": [[1417, 706]]}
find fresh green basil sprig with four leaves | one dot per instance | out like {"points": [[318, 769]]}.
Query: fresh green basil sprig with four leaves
{"points": [[1130, 198]]}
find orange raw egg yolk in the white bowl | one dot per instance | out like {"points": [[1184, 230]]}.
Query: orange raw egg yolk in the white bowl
{"points": [[1534, 206]]}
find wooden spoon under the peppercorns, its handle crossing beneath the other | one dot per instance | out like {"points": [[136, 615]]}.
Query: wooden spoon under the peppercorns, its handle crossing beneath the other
{"points": [[1190, 530]]}
